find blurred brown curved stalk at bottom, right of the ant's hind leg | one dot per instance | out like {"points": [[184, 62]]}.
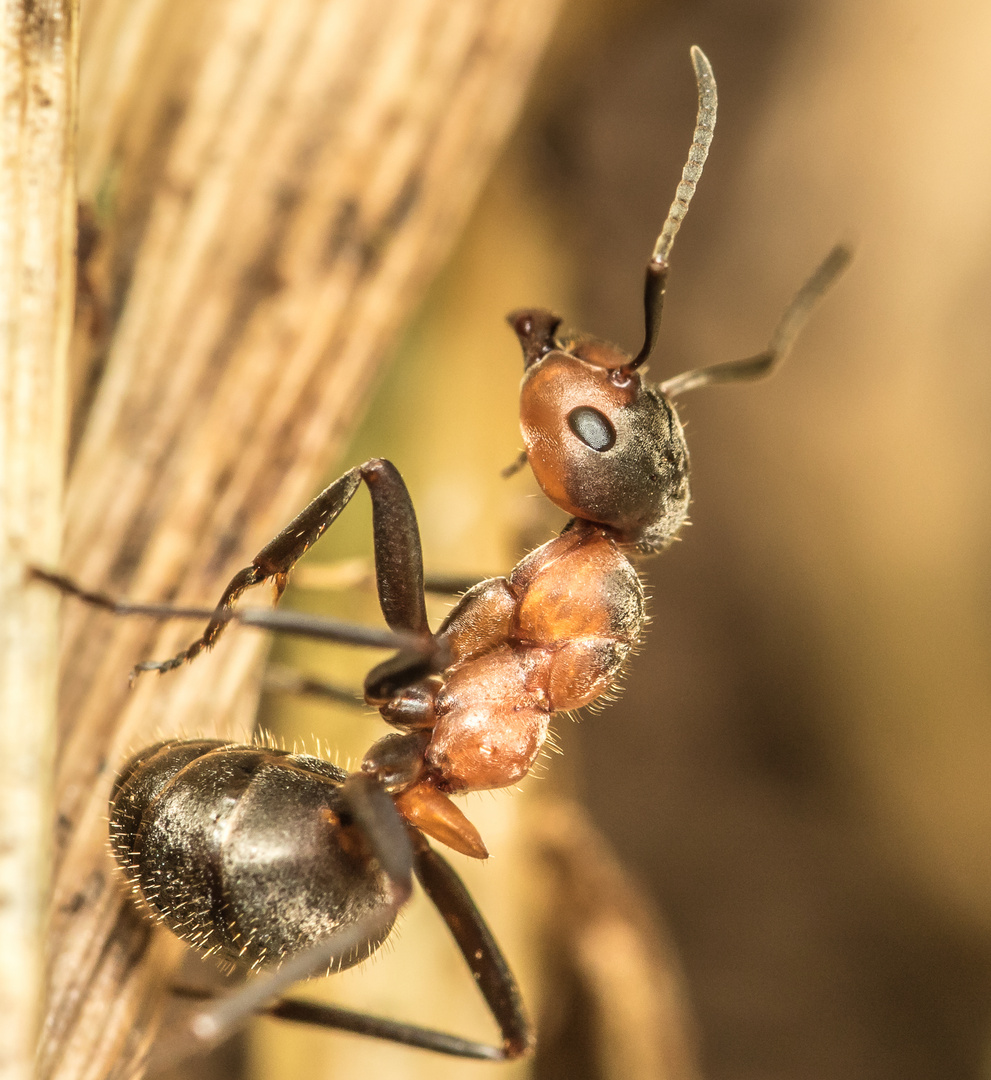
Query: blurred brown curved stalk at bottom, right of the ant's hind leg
{"points": [[619, 1007]]}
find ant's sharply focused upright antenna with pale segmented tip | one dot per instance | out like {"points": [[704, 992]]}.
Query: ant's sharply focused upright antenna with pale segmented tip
{"points": [[657, 269]]}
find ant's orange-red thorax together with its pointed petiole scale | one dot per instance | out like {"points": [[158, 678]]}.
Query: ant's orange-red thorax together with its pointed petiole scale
{"points": [[552, 637]]}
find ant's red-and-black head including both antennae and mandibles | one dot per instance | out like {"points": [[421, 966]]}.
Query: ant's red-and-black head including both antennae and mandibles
{"points": [[605, 447]]}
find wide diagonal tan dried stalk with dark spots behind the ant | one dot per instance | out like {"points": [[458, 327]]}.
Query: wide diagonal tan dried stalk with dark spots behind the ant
{"points": [[267, 190]]}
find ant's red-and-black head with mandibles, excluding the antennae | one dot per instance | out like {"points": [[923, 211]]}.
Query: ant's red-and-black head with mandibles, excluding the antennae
{"points": [[603, 445]]}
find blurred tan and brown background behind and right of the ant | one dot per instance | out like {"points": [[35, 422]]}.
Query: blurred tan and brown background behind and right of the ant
{"points": [[798, 767]]}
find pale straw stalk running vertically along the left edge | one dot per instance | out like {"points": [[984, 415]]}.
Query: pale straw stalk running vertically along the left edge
{"points": [[37, 236]]}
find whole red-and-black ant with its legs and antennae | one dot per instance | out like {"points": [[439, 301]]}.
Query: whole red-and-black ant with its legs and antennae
{"points": [[265, 856]]}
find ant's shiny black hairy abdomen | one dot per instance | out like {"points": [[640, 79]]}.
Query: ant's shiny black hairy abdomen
{"points": [[245, 852]]}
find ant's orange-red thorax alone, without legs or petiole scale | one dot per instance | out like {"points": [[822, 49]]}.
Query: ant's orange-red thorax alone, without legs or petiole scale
{"points": [[574, 610]]}
